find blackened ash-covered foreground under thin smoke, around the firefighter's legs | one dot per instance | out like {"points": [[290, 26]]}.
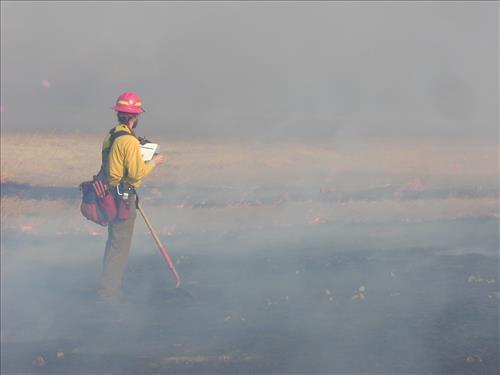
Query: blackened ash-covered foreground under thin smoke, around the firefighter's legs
{"points": [[329, 298]]}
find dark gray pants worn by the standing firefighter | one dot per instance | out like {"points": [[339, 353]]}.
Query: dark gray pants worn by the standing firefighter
{"points": [[116, 255]]}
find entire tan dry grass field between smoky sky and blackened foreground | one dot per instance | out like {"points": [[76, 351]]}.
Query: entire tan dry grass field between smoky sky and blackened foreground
{"points": [[236, 173]]}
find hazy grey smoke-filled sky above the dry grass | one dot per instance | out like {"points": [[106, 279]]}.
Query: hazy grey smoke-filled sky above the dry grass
{"points": [[264, 70]]}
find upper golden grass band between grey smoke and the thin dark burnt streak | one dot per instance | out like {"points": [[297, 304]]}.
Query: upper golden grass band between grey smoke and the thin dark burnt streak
{"points": [[58, 159]]}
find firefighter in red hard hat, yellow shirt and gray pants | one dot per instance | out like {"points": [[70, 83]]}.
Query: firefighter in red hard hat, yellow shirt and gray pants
{"points": [[123, 169]]}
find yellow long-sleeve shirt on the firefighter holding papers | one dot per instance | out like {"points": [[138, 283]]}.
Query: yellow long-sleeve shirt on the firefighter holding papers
{"points": [[124, 161]]}
